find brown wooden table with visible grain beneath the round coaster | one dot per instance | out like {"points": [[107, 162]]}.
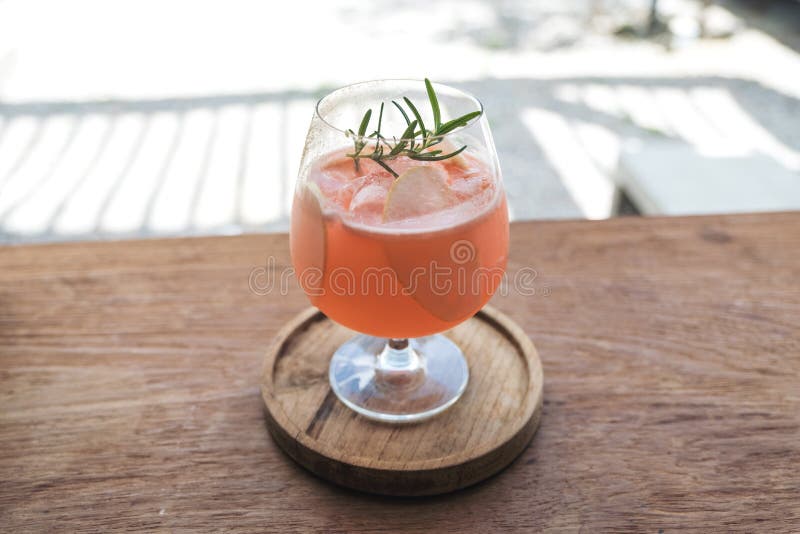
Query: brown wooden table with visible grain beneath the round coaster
{"points": [[129, 390]]}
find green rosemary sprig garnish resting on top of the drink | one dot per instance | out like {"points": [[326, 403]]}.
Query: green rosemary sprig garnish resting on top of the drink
{"points": [[407, 145]]}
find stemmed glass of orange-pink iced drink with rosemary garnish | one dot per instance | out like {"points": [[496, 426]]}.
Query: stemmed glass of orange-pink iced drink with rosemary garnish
{"points": [[399, 232]]}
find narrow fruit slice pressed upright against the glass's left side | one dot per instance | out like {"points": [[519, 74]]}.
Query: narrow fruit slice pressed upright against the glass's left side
{"points": [[307, 239]]}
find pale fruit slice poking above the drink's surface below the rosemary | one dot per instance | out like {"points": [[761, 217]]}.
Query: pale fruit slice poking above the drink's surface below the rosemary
{"points": [[418, 191]]}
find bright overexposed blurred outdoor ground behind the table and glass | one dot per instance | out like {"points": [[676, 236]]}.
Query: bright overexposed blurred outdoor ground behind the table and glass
{"points": [[147, 118]]}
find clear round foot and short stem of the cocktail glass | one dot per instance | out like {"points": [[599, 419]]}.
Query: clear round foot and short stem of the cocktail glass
{"points": [[399, 380]]}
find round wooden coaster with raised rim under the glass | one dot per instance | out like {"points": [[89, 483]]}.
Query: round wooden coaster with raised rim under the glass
{"points": [[483, 432]]}
